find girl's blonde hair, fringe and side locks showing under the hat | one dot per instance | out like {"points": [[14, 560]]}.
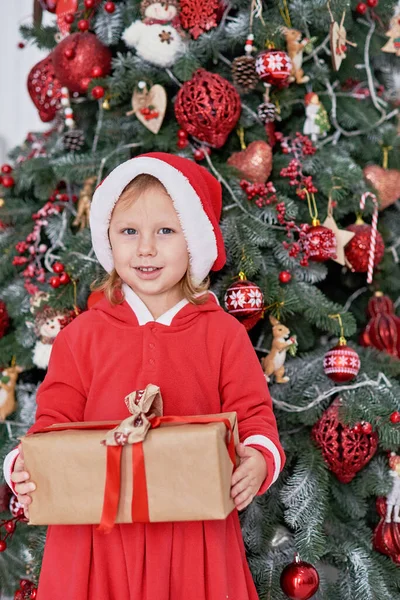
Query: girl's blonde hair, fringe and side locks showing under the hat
{"points": [[111, 284]]}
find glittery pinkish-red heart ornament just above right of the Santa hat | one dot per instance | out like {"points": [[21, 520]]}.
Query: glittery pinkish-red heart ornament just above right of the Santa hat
{"points": [[255, 162]]}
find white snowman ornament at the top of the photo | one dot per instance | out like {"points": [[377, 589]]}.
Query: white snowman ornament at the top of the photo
{"points": [[158, 37]]}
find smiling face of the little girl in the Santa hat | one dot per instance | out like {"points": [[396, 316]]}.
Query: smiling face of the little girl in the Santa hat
{"points": [[149, 248]]}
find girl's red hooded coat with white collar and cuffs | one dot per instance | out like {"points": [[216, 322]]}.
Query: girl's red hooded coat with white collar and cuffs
{"points": [[203, 361]]}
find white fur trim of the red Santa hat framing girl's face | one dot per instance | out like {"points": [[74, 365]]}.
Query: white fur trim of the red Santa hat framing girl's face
{"points": [[196, 226]]}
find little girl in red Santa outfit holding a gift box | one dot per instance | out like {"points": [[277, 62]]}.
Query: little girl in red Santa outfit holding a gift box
{"points": [[154, 223]]}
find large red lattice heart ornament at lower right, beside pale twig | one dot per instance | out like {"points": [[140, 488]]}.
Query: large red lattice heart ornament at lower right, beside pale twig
{"points": [[345, 450]]}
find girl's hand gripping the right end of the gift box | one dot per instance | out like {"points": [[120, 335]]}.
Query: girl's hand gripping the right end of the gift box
{"points": [[248, 477]]}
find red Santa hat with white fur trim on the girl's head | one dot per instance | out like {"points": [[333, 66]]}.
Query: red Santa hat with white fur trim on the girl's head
{"points": [[197, 199]]}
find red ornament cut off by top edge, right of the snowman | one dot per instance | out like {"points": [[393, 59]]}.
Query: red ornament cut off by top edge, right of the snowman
{"points": [[198, 16]]}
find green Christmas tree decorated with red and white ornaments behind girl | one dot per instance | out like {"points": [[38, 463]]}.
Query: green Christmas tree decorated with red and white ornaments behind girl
{"points": [[294, 107]]}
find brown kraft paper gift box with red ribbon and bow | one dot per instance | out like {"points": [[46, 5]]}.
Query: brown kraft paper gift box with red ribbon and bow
{"points": [[148, 468]]}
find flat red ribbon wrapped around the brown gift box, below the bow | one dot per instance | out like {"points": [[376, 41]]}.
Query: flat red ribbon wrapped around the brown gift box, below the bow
{"points": [[140, 504]]}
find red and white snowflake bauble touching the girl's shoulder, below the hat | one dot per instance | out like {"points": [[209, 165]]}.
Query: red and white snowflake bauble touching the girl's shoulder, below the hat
{"points": [[245, 301]]}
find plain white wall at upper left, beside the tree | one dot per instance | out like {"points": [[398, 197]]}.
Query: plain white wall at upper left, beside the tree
{"points": [[18, 114]]}
